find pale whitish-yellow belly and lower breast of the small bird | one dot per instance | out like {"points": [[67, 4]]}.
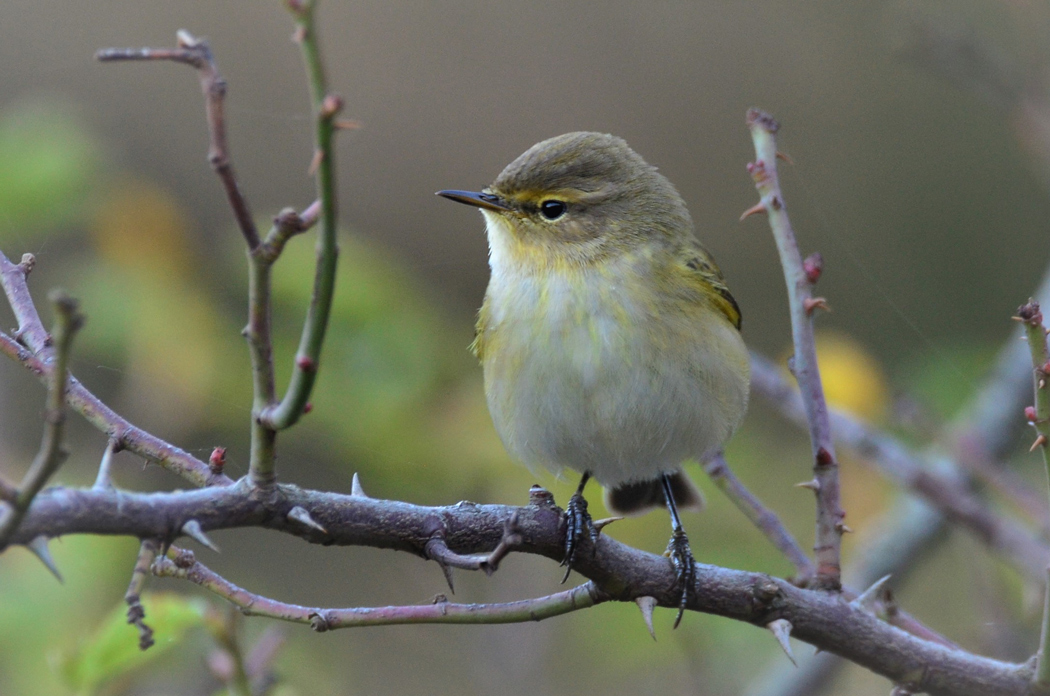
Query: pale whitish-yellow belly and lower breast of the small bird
{"points": [[605, 383]]}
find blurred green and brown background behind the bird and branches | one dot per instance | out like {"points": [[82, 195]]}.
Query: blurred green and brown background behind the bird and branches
{"points": [[919, 133]]}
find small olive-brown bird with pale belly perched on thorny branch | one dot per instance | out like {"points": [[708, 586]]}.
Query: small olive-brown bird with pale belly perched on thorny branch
{"points": [[610, 341]]}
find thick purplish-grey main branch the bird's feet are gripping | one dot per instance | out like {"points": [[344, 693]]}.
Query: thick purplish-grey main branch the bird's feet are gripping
{"points": [[821, 619]]}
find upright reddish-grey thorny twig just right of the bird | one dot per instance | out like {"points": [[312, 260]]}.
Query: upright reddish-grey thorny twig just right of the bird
{"points": [[826, 470]]}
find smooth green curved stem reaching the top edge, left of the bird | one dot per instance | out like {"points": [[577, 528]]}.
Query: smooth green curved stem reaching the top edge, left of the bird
{"points": [[326, 108]]}
